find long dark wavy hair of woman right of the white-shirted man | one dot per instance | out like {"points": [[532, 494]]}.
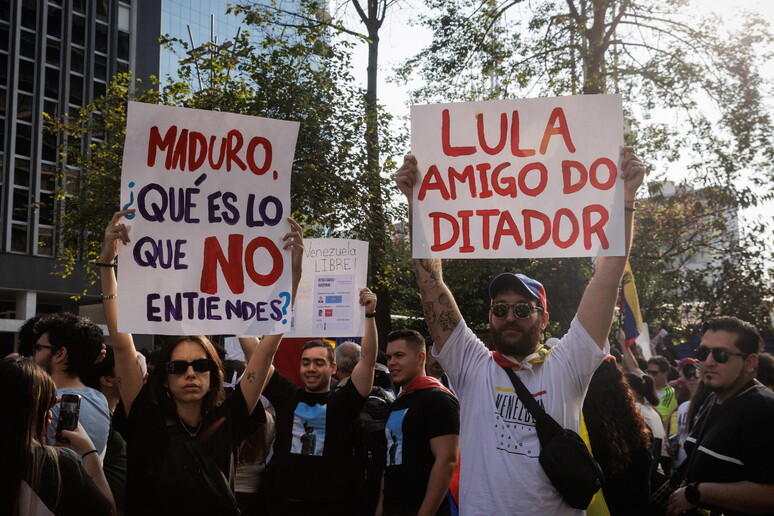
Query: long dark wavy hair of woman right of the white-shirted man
{"points": [[616, 428]]}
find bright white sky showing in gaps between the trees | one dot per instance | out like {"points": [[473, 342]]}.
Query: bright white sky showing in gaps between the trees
{"points": [[400, 40]]}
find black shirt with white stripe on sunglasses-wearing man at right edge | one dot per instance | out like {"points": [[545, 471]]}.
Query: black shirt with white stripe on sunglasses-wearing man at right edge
{"points": [[735, 441]]}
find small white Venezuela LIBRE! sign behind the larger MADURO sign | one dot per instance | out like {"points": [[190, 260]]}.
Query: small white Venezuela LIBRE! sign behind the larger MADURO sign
{"points": [[335, 269]]}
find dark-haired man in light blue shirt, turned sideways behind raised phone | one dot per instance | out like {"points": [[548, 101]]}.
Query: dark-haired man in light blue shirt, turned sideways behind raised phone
{"points": [[67, 347]]}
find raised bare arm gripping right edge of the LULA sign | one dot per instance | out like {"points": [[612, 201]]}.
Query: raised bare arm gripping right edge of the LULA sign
{"points": [[597, 306]]}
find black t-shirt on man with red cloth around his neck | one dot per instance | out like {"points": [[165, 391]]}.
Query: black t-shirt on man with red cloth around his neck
{"points": [[415, 418]]}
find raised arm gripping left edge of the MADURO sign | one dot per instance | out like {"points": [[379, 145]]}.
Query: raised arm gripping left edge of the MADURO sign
{"points": [[128, 375]]}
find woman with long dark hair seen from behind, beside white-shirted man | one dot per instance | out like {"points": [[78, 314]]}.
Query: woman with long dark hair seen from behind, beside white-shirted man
{"points": [[620, 441]]}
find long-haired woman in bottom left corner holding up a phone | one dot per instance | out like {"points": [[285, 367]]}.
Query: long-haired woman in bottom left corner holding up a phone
{"points": [[35, 477]]}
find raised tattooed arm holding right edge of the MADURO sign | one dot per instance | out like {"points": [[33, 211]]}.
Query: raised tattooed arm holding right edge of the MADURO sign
{"points": [[259, 367]]}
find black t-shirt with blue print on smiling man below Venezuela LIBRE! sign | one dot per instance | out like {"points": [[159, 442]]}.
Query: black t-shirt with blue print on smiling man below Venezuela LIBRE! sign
{"points": [[313, 447]]}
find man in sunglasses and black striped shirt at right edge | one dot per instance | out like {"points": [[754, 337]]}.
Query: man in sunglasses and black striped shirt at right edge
{"points": [[730, 448]]}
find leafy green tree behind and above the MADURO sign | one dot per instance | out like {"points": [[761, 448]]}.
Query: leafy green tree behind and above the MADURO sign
{"points": [[292, 73]]}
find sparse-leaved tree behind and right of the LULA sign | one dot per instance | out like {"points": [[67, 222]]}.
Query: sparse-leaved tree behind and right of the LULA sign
{"points": [[661, 59]]}
